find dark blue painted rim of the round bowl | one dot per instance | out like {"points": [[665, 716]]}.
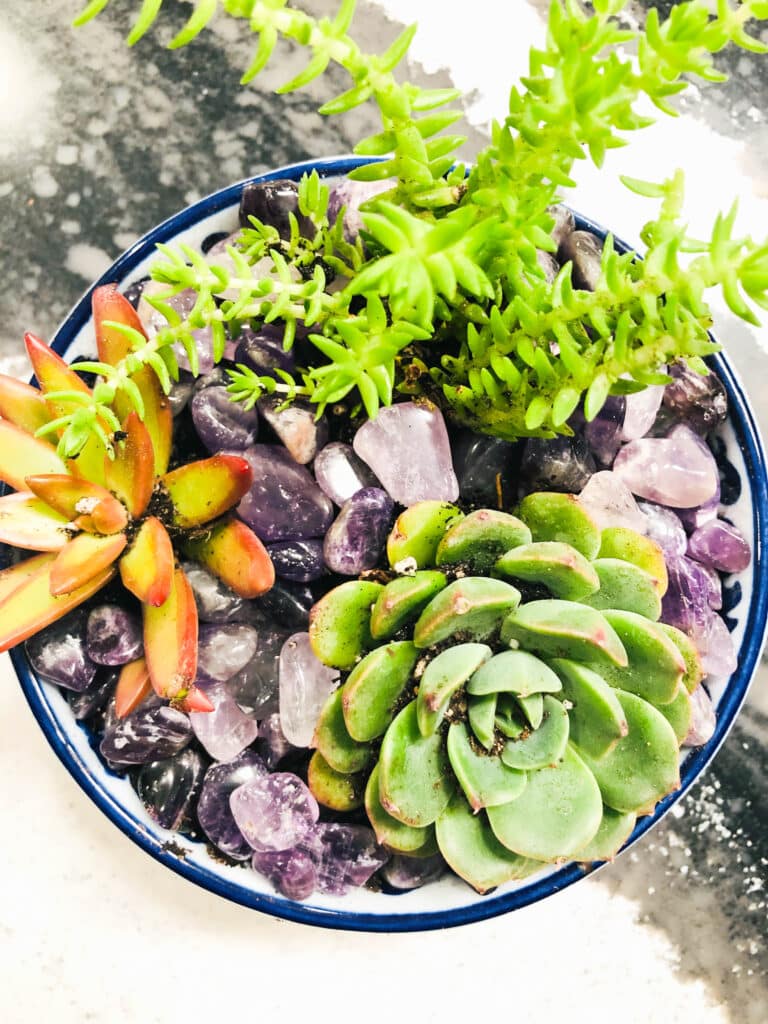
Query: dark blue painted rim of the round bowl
{"points": [[750, 442]]}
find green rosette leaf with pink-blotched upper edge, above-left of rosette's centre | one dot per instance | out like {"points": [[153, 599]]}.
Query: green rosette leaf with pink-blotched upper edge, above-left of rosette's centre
{"points": [[474, 607]]}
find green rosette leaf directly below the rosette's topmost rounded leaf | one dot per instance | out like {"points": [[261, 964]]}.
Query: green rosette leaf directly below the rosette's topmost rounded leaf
{"points": [[563, 570]]}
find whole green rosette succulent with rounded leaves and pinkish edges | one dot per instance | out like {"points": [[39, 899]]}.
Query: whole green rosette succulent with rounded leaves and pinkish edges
{"points": [[505, 733]]}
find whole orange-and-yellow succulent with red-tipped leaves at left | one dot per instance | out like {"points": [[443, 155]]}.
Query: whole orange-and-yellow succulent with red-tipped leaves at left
{"points": [[116, 509]]}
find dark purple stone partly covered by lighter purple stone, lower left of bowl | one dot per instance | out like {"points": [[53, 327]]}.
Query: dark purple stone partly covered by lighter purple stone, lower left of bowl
{"points": [[214, 807]]}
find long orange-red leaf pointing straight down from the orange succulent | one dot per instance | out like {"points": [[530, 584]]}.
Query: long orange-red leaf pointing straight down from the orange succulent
{"points": [[172, 641]]}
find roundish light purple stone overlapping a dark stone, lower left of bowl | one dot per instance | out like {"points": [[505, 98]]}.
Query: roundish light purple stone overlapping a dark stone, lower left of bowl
{"points": [[275, 813]]}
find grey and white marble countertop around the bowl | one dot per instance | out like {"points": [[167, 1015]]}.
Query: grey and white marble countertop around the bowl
{"points": [[97, 147]]}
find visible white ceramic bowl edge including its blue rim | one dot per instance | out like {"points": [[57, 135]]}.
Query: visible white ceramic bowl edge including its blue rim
{"points": [[449, 902]]}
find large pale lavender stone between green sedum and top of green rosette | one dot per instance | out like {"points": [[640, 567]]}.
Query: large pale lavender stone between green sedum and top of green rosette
{"points": [[407, 447]]}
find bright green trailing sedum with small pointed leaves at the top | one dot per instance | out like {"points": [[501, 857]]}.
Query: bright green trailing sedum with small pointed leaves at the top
{"points": [[447, 296]]}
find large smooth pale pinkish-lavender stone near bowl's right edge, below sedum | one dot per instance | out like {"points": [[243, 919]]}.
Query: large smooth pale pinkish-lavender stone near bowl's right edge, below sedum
{"points": [[678, 471]]}
